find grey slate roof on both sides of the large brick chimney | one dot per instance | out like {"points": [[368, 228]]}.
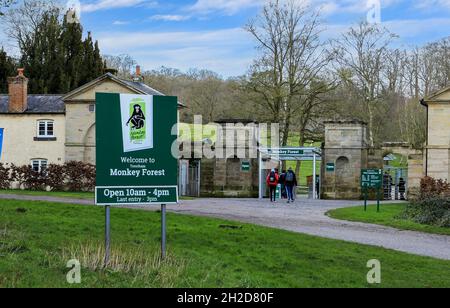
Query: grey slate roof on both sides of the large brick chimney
{"points": [[37, 104]]}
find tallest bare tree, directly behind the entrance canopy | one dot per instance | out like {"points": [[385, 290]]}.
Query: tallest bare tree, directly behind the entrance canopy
{"points": [[287, 78]]}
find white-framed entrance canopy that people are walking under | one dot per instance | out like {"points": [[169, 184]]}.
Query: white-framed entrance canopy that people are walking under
{"points": [[271, 157]]}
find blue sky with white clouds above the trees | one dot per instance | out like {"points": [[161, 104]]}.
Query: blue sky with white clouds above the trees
{"points": [[208, 34]]}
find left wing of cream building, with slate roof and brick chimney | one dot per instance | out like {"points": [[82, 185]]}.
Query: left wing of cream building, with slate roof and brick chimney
{"points": [[34, 126]]}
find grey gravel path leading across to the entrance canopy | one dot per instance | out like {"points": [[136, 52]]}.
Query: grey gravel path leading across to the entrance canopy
{"points": [[305, 216]]}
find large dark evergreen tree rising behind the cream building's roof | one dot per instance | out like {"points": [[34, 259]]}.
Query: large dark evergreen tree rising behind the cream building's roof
{"points": [[57, 59]]}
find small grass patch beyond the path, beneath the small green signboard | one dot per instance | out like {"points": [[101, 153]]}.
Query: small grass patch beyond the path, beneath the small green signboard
{"points": [[389, 216]]}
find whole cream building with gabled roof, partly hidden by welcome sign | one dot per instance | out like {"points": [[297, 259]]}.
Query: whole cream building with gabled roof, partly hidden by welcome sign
{"points": [[52, 129]]}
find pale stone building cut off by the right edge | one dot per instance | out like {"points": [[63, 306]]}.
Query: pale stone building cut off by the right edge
{"points": [[437, 150]]}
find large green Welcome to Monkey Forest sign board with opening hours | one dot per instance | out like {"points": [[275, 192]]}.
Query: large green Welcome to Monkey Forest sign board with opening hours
{"points": [[135, 164]]}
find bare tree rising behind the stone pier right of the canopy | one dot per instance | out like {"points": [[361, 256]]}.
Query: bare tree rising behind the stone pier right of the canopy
{"points": [[364, 54]]}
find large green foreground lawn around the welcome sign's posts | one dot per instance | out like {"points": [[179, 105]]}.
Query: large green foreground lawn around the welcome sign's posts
{"points": [[38, 238]]}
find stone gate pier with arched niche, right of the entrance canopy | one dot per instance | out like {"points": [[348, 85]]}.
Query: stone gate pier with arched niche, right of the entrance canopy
{"points": [[345, 154]]}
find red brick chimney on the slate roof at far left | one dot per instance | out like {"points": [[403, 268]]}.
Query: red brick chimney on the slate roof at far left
{"points": [[18, 92]]}
